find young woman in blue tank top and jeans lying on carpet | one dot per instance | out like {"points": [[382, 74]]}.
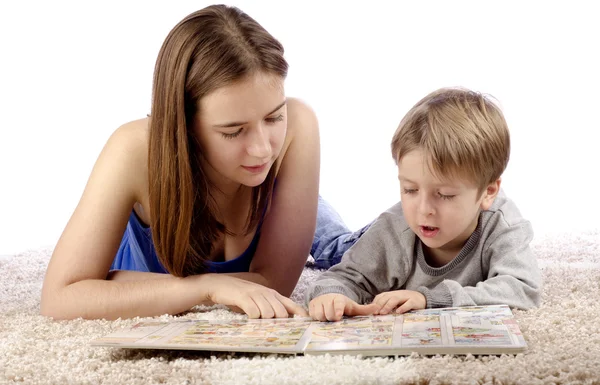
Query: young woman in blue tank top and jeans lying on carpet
{"points": [[211, 199]]}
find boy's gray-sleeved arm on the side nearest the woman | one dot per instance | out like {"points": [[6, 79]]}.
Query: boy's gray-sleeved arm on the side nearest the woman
{"points": [[374, 264]]}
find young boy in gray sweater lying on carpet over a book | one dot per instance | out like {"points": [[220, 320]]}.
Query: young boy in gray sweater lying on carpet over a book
{"points": [[455, 239]]}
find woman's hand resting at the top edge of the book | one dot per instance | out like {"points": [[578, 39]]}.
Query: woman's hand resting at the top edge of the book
{"points": [[253, 299]]}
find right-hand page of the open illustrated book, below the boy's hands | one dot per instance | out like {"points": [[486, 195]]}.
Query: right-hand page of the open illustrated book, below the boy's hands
{"points": [[476, 330]]}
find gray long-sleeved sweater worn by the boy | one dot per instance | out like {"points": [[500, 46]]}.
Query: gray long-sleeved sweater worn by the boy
{"points": [[495, 266]]}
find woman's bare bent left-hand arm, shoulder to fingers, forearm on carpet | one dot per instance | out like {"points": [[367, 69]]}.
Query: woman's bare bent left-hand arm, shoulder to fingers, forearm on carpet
{"points": [[76, 282]]}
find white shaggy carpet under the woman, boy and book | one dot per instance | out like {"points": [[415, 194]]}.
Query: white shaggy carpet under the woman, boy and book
{"points": [[563, 337]]}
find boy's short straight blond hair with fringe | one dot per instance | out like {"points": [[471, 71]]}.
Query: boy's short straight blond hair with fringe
{"points": [[462, 133]]}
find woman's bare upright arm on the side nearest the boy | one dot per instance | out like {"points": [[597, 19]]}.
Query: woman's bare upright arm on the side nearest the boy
{"points": [[288, 230]]}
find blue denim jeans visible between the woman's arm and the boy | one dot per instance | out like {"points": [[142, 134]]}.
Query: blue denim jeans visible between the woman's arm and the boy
{"points": [[332, 236]]}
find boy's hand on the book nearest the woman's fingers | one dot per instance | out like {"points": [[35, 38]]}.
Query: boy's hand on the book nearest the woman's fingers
{"points": [[332, 307]]}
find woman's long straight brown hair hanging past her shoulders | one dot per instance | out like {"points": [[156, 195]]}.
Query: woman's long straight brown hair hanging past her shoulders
{"points": [[209, 49]]}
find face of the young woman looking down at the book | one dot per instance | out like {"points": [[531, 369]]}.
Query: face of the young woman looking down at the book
{"points": [[241, 128]]}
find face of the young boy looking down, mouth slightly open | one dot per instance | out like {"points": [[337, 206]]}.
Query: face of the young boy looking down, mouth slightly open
{"points": [[443, 214]]}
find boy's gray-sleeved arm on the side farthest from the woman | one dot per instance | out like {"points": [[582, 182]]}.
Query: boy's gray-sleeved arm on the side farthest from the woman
{"points": [[513, 278]]}
